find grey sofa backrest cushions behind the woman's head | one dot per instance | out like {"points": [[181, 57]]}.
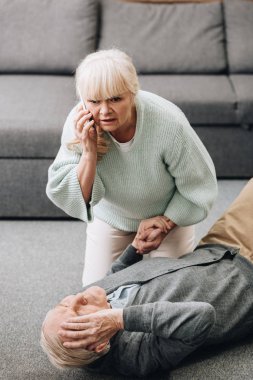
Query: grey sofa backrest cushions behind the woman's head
{"points": [[162, 36]]}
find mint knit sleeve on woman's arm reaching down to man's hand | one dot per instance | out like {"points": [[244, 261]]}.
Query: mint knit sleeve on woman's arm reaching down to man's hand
{"points": [[196, 185]]}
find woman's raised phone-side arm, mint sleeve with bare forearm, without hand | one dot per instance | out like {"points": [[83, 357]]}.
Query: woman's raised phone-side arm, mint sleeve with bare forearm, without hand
{"points": [[70, 174]]}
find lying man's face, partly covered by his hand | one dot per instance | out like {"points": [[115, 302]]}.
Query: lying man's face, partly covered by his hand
{"points": [[91, 300]]}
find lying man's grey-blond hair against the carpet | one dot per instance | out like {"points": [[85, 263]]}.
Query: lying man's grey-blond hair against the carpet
{"points": [[62, 357]]}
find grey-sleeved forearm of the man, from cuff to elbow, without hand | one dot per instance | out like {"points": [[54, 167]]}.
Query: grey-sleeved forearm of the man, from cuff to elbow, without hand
{"points": [[187, 321]]}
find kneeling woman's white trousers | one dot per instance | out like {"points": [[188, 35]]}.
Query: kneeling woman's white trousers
{"points": [[105, 243]]}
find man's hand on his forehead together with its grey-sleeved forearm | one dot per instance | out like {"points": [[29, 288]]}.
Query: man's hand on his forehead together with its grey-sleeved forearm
{"points": [[186, 322]]}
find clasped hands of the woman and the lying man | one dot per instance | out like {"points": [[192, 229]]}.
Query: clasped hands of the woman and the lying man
{"points": [[151, 233]]}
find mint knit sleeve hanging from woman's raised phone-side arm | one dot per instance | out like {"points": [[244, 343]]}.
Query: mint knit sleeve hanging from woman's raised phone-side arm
{"points": [[63, 187]]}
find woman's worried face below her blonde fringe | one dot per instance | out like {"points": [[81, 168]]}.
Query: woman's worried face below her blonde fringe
{"points": [[113, 114]]}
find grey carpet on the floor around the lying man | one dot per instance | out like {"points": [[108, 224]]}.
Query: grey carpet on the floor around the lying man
{"points": [[41, 262]]}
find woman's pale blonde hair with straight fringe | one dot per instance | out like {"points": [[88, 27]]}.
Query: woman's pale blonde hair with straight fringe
{"points": [[104, 75]]}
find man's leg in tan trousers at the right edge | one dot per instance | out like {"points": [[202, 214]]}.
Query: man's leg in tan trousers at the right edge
{"points": [[235, 226]]}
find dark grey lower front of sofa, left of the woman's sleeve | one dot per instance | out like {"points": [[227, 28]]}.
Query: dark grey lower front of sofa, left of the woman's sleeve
{"points": [[23, 184]]}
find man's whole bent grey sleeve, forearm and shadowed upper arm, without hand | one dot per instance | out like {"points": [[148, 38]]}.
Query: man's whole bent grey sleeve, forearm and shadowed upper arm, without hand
{"points": [[162, 334]]}
